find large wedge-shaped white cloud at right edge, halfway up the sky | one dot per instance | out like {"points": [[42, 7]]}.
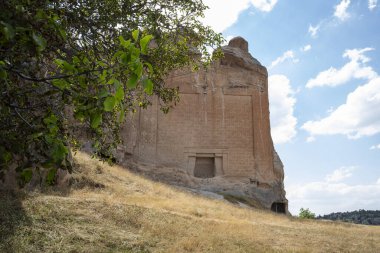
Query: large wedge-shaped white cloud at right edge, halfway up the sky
{"points": [[359, 116]]}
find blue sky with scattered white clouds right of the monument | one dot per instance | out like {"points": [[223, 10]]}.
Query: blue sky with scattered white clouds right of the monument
{"points": [[323, 63]]}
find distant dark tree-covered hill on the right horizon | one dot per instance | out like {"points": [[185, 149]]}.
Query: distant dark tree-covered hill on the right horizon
{"points": [[366, 217]]}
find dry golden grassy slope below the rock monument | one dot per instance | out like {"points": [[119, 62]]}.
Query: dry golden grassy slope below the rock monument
{"points": [[133, 214]]}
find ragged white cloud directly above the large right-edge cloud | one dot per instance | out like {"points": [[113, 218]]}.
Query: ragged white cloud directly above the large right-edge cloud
{"points": [[355, 68]]}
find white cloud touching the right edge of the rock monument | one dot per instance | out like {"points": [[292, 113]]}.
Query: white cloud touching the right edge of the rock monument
{"points": [[281, 103]]}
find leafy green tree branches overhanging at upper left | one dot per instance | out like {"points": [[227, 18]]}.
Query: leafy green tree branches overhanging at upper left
{"points": [[92, 61]]}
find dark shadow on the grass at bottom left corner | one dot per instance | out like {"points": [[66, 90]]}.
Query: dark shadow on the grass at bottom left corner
{"points": [[12, 217]]}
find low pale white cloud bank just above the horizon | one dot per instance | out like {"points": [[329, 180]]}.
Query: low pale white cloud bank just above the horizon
{"points": [[325, 196]]}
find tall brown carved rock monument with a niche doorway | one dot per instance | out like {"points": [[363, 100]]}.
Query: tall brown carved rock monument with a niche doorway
{"points": [[218, 136]]}
